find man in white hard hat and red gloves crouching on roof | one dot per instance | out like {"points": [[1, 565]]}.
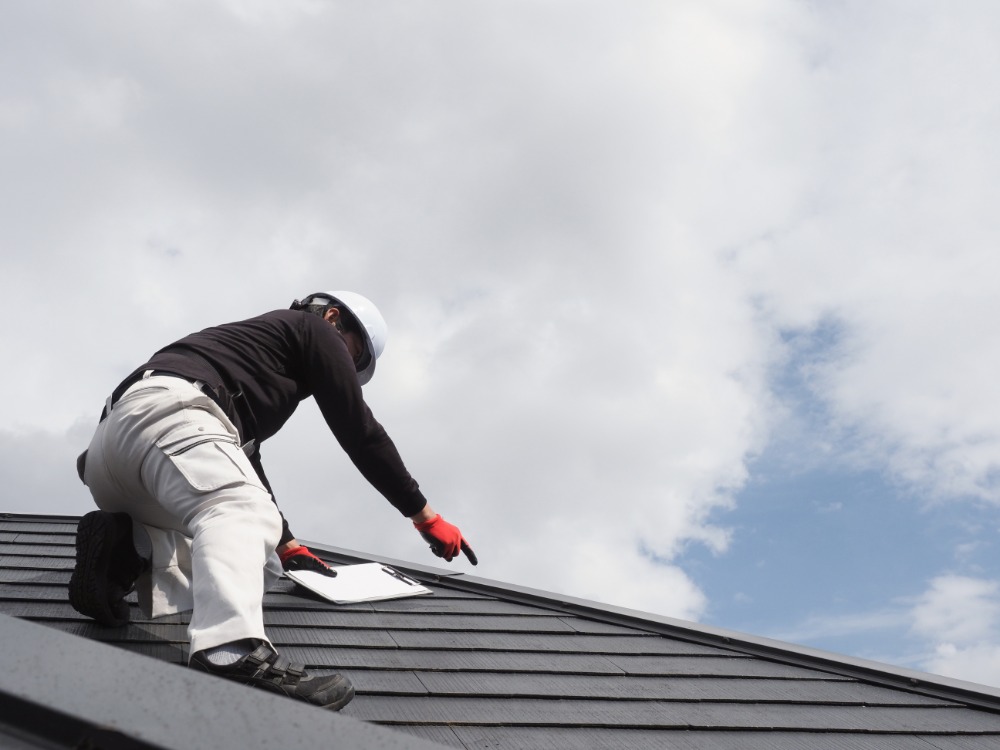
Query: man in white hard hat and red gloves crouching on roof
{"points": [[187, 516]]}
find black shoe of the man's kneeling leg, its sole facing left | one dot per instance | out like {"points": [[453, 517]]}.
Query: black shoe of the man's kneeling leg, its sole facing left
{"points": [[107, 565]]}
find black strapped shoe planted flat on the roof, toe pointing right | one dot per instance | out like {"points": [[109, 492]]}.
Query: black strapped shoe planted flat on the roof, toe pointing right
{"points": [[265, 669]]}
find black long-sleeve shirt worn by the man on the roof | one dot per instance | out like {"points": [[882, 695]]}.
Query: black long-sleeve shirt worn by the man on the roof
{"points": [[263, 367]]}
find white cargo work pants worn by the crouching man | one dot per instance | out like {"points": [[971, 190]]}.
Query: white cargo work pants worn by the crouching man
{"points": [[169, 457]]}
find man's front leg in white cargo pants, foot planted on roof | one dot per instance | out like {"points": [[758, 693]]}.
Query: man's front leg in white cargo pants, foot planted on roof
{"points": [[235, 527]]}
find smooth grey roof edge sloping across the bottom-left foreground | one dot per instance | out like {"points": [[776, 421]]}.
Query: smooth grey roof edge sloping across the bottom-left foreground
{"points": [[110, 697]]}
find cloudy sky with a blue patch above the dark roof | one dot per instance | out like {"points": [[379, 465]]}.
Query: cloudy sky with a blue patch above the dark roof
{"points": [[693, 306]]}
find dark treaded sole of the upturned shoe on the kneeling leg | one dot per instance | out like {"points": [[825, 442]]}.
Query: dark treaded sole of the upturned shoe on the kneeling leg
{"points": [[89, 586]]}
